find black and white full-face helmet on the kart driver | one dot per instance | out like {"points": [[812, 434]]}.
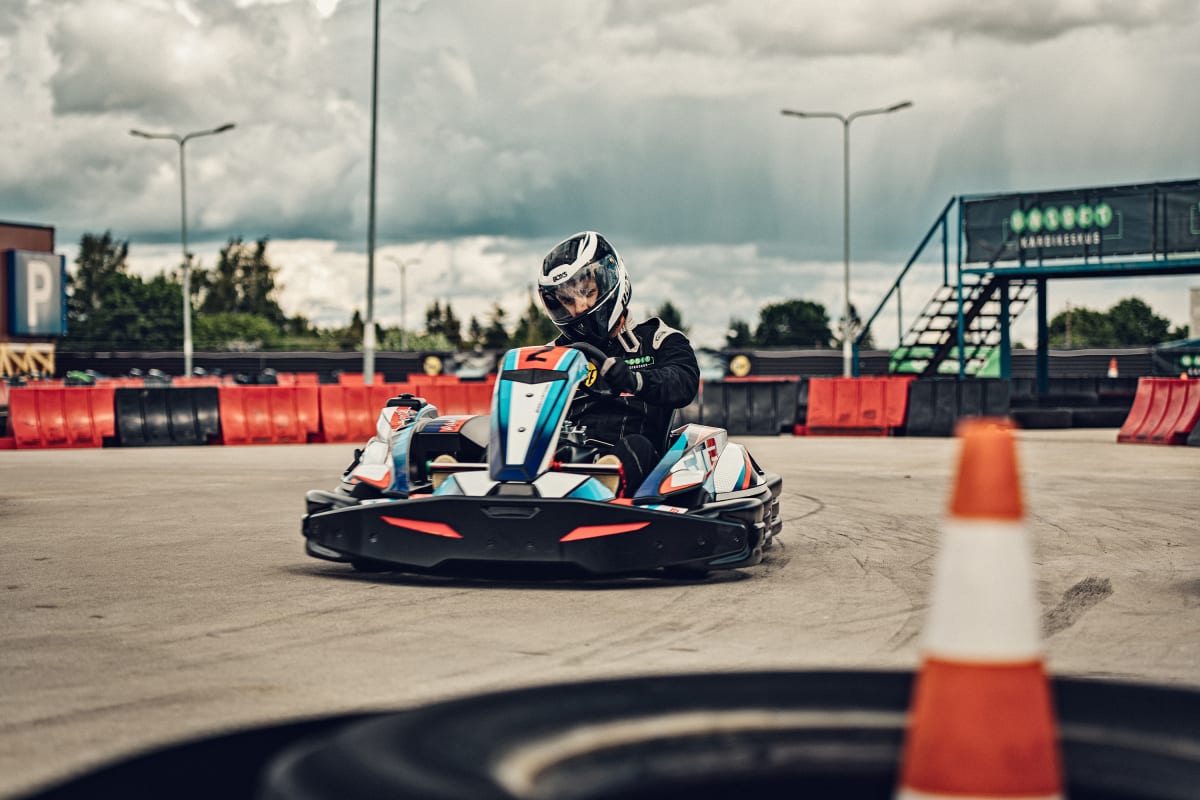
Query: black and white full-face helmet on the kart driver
{"points": [[585, 287]]}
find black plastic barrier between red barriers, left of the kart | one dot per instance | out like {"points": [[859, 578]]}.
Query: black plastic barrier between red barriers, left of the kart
{"points": [[167, 417]]}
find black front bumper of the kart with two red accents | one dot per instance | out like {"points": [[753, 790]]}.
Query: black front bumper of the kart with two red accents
{"points": [[599, 538]]}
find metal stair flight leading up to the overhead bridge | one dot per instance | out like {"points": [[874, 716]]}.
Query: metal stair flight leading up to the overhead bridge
{"points": [[931, 346]]}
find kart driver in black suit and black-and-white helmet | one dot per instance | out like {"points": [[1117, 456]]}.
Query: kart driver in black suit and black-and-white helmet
{"points": [[650, 369]]}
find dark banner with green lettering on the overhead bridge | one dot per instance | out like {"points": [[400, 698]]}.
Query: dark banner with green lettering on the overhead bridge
{"points": [[1145, 220]]}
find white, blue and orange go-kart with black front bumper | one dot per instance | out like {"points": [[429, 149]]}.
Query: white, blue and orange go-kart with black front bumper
{"points": [[523, 488]]}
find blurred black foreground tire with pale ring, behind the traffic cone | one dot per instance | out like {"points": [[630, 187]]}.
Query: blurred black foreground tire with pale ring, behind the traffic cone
{"points": [[734, 736]]}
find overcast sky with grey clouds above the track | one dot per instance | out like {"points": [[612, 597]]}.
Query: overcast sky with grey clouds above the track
{"points": [[507, 125]]}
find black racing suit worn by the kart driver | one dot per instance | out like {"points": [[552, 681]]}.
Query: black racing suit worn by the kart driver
{"points": [[670, 380]]}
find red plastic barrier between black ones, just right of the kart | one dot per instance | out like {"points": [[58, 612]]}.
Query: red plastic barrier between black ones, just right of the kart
{"points": [[867, 407]]}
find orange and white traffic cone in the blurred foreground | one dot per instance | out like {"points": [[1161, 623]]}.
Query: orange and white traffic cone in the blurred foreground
{"points": [[982, 720]]}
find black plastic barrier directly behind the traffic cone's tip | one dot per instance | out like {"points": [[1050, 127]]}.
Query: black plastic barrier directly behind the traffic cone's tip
{"points": [[937, 405]]}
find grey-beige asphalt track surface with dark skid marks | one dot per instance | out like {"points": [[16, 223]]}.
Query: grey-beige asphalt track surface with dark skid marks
{"points": [[158, 596]]}
